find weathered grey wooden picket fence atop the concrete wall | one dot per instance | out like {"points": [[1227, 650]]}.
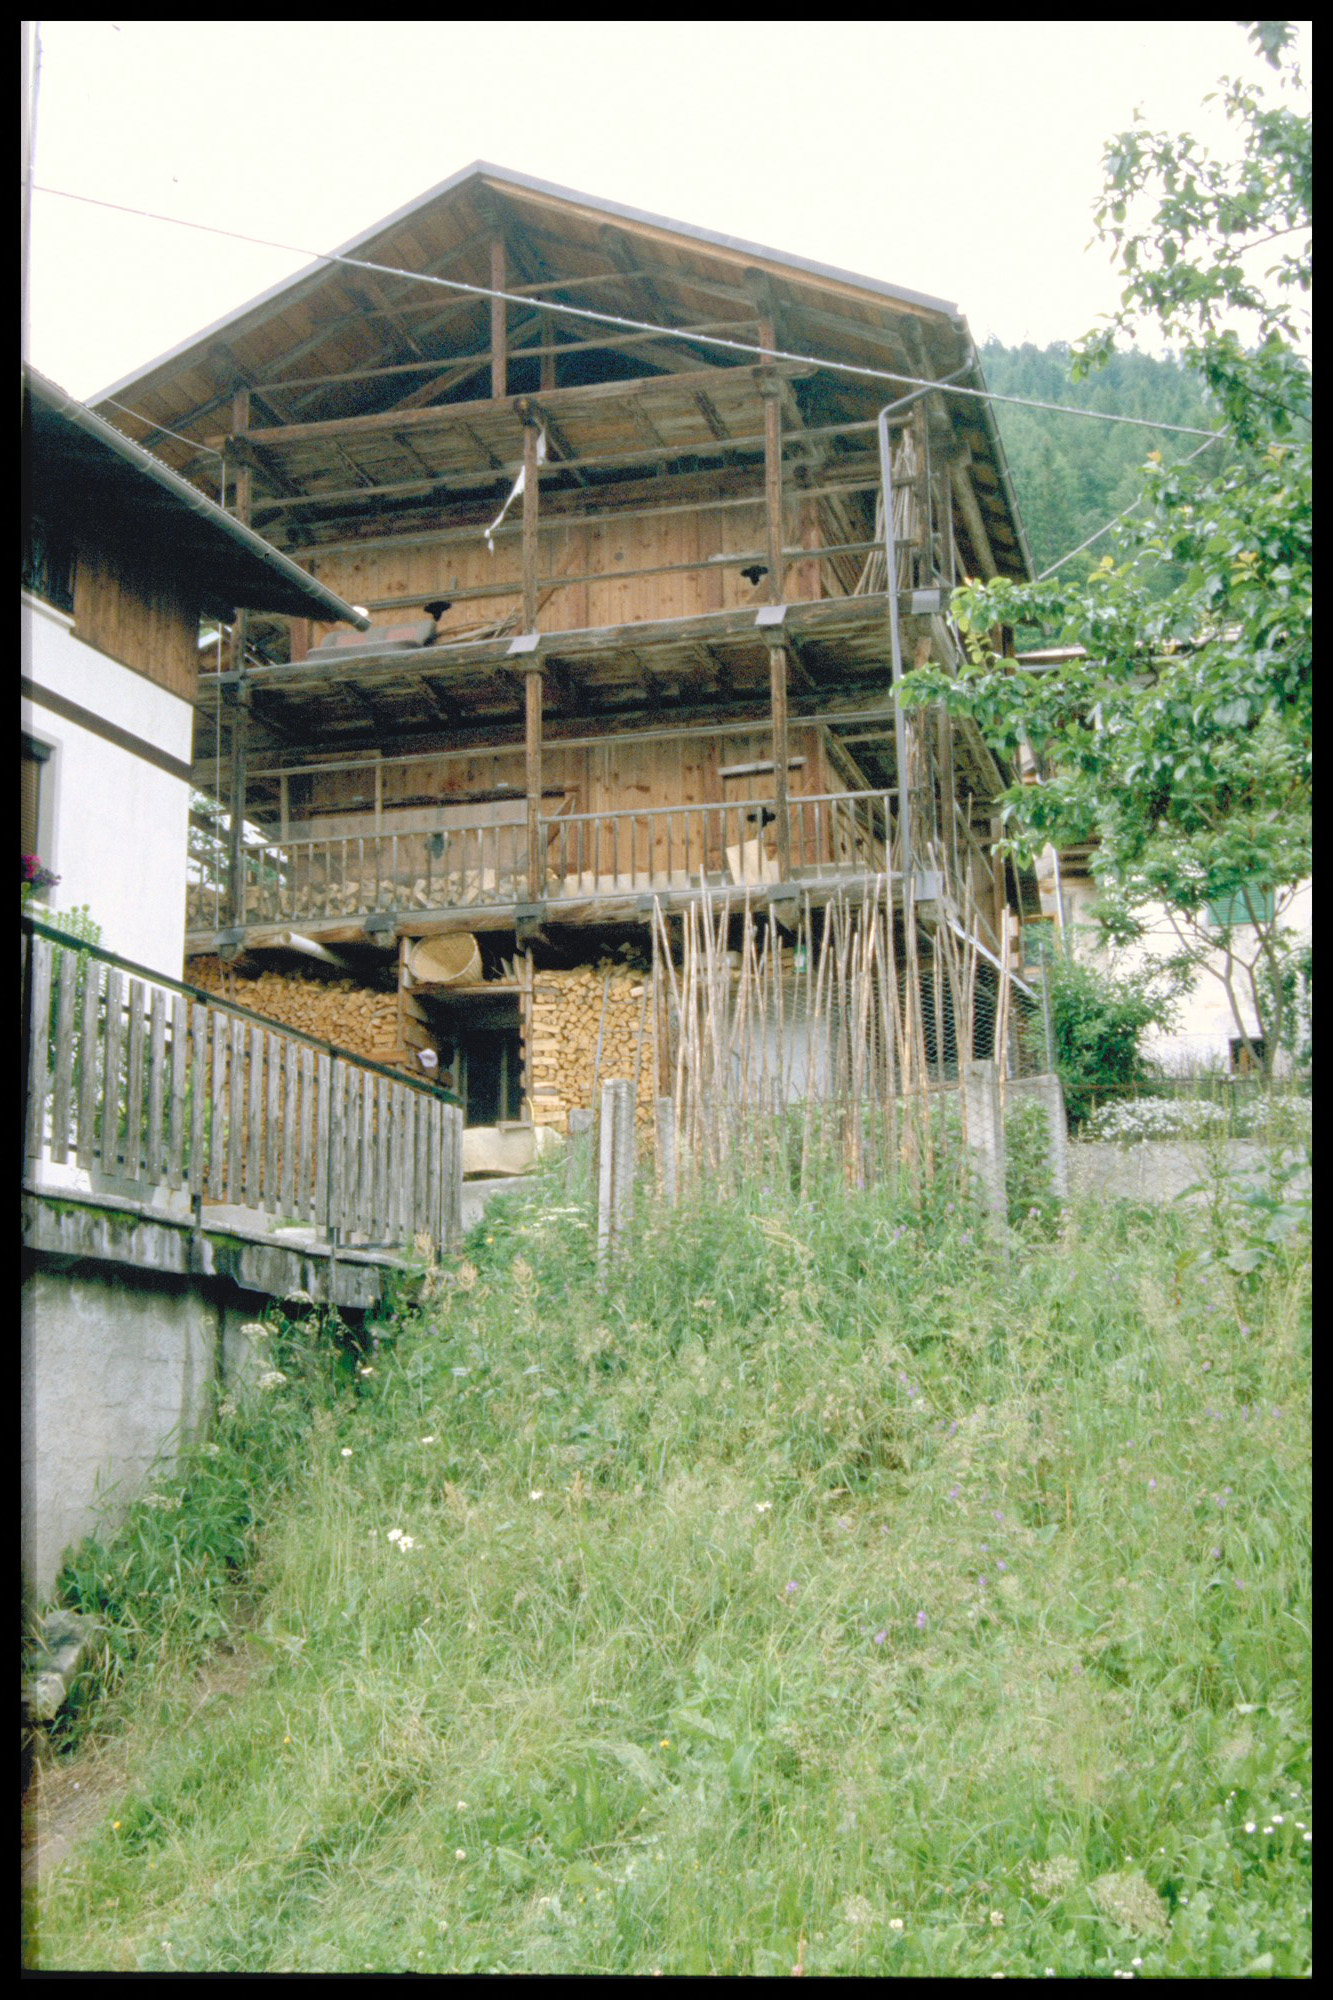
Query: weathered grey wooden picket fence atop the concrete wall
{"points": [[151, 1085]]}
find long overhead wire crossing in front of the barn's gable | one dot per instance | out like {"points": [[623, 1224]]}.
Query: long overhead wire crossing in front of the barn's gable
{"points": [[639, 327]]}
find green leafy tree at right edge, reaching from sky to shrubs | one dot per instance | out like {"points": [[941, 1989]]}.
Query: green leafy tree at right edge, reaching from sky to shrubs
{"points": [[1180, 741]]}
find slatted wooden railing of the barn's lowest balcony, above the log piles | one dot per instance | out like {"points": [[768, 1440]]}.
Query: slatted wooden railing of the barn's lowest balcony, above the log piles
{"points": [[425, 877]]}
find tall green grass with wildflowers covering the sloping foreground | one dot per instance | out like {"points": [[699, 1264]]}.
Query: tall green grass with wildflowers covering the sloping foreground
{"points": [[824, 1591]]}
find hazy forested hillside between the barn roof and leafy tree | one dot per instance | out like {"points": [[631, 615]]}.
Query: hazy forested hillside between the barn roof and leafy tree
{"points": [[1072, 475]]}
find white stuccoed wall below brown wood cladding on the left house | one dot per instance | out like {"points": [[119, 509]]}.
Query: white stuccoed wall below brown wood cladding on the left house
{"points": [[115, 827]]}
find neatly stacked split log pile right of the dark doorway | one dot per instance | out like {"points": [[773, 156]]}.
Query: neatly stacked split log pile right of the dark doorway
{"points": [[569, 1013]]}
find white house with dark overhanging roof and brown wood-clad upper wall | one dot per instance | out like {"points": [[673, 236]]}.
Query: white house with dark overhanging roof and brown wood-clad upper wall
{"points": [[121, 559]]}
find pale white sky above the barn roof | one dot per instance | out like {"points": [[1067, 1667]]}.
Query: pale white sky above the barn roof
{"points": [[958, 159]]}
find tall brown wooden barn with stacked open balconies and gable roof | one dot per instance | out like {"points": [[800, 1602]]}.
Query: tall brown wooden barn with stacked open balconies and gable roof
{"points": [[647, 523]]}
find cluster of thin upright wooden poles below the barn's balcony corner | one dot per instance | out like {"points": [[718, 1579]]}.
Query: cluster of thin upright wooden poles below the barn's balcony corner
{"points": [[854, 1041]]}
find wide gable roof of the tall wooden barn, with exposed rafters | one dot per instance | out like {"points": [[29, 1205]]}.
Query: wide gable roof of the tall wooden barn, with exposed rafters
{"points": [[303, 347]]}
